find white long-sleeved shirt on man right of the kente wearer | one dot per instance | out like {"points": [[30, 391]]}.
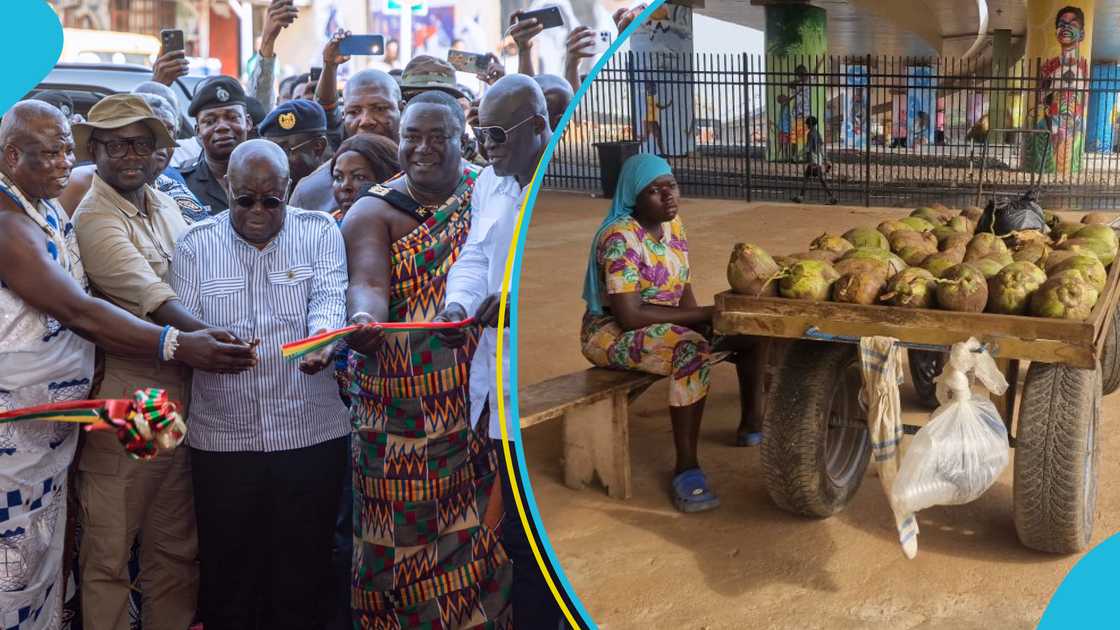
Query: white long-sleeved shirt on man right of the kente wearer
{"points": [[479, 273]]}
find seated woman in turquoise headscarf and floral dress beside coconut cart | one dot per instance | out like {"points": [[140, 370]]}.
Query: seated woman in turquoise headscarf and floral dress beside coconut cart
{"points": [[642, 314]]}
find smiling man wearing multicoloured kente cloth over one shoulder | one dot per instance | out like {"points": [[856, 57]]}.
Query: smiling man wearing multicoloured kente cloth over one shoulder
{"points": [[426, 551]]}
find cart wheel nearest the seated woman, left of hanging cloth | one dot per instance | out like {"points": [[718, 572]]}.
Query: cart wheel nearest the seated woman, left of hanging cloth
{"points": [[817, 444]]}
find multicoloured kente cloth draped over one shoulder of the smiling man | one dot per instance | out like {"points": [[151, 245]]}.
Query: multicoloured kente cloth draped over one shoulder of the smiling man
{"points": [[423, 558]]}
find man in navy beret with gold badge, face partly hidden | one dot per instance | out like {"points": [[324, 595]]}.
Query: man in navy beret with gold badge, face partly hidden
{"points": [[300, 128]]}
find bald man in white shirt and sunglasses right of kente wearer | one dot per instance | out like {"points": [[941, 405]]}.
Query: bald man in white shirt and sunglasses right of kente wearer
{"points": [[515, 129]]}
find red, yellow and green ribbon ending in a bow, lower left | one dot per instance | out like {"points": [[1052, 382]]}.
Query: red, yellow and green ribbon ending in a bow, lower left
{"points": [[145, 424]]}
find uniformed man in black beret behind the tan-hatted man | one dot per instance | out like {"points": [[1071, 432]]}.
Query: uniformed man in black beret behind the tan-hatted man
{"points": [[222, 123]]}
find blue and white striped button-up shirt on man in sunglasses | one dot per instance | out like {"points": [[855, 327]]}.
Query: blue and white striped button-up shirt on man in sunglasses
{"points": [[293, 288]]}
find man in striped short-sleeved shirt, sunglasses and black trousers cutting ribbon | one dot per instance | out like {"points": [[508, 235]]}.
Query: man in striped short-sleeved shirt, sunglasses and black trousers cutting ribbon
{"points": [[268, 448]]}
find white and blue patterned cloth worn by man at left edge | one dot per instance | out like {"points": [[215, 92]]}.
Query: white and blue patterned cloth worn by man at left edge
{"points": [[41, 363]]}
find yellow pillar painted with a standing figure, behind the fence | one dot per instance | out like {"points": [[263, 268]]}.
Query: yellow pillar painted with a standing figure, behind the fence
{"points": [[1060, 38]]}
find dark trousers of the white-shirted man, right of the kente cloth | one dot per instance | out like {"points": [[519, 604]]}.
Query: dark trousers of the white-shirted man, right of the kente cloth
{"points": [[534, 605]]}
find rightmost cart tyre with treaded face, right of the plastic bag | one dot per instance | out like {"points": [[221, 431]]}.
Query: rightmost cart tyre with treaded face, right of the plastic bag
{"points": [[1056, 458]]}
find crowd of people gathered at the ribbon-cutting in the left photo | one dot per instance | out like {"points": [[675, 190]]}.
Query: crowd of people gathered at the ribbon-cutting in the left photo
{"points": [[363, 486]]}
